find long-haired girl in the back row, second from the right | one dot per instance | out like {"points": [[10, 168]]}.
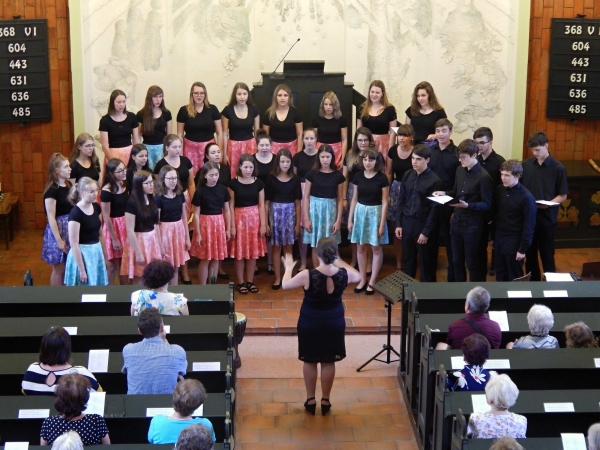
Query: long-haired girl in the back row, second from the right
{"points": [[379, 116]]}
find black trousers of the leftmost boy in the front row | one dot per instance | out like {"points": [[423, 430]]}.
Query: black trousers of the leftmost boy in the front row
{"points": [[427, 253]]}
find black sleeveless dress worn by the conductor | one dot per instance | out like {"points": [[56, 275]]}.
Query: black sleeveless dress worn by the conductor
{"points": [[321, 325]]}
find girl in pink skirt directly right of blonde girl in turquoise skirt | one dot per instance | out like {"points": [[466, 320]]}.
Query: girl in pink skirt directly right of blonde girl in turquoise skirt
{"points": [[113, 197]]}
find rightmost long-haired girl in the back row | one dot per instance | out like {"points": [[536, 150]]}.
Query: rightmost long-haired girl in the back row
{"points": [[424, 112]]}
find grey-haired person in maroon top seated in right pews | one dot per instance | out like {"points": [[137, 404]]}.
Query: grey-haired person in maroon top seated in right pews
{"points": [[475, 321]]}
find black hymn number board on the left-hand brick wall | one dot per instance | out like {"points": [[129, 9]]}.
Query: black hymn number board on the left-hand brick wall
{"points": [[24, 71]]}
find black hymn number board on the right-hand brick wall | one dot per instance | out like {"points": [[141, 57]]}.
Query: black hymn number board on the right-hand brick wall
{"points": [[574, 83]]}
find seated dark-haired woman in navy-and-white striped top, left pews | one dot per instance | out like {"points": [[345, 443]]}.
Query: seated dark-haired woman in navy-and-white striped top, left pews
{"points": [[54, 362]]}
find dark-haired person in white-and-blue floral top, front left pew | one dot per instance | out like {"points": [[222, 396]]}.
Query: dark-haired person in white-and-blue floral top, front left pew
{"points": [[156, 279]]}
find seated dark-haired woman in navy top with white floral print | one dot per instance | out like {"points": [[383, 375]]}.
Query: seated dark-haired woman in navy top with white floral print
{"points": [[473, 377]]}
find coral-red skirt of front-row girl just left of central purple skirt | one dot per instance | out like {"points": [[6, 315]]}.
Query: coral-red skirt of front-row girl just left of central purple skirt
{"points": [[248, 243]]}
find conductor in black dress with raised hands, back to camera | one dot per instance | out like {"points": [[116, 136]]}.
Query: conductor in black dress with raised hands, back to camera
{"points": [[321, 325]]}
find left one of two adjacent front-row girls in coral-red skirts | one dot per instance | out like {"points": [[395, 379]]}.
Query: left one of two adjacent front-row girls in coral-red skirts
{"points": [[212, 222]]}
